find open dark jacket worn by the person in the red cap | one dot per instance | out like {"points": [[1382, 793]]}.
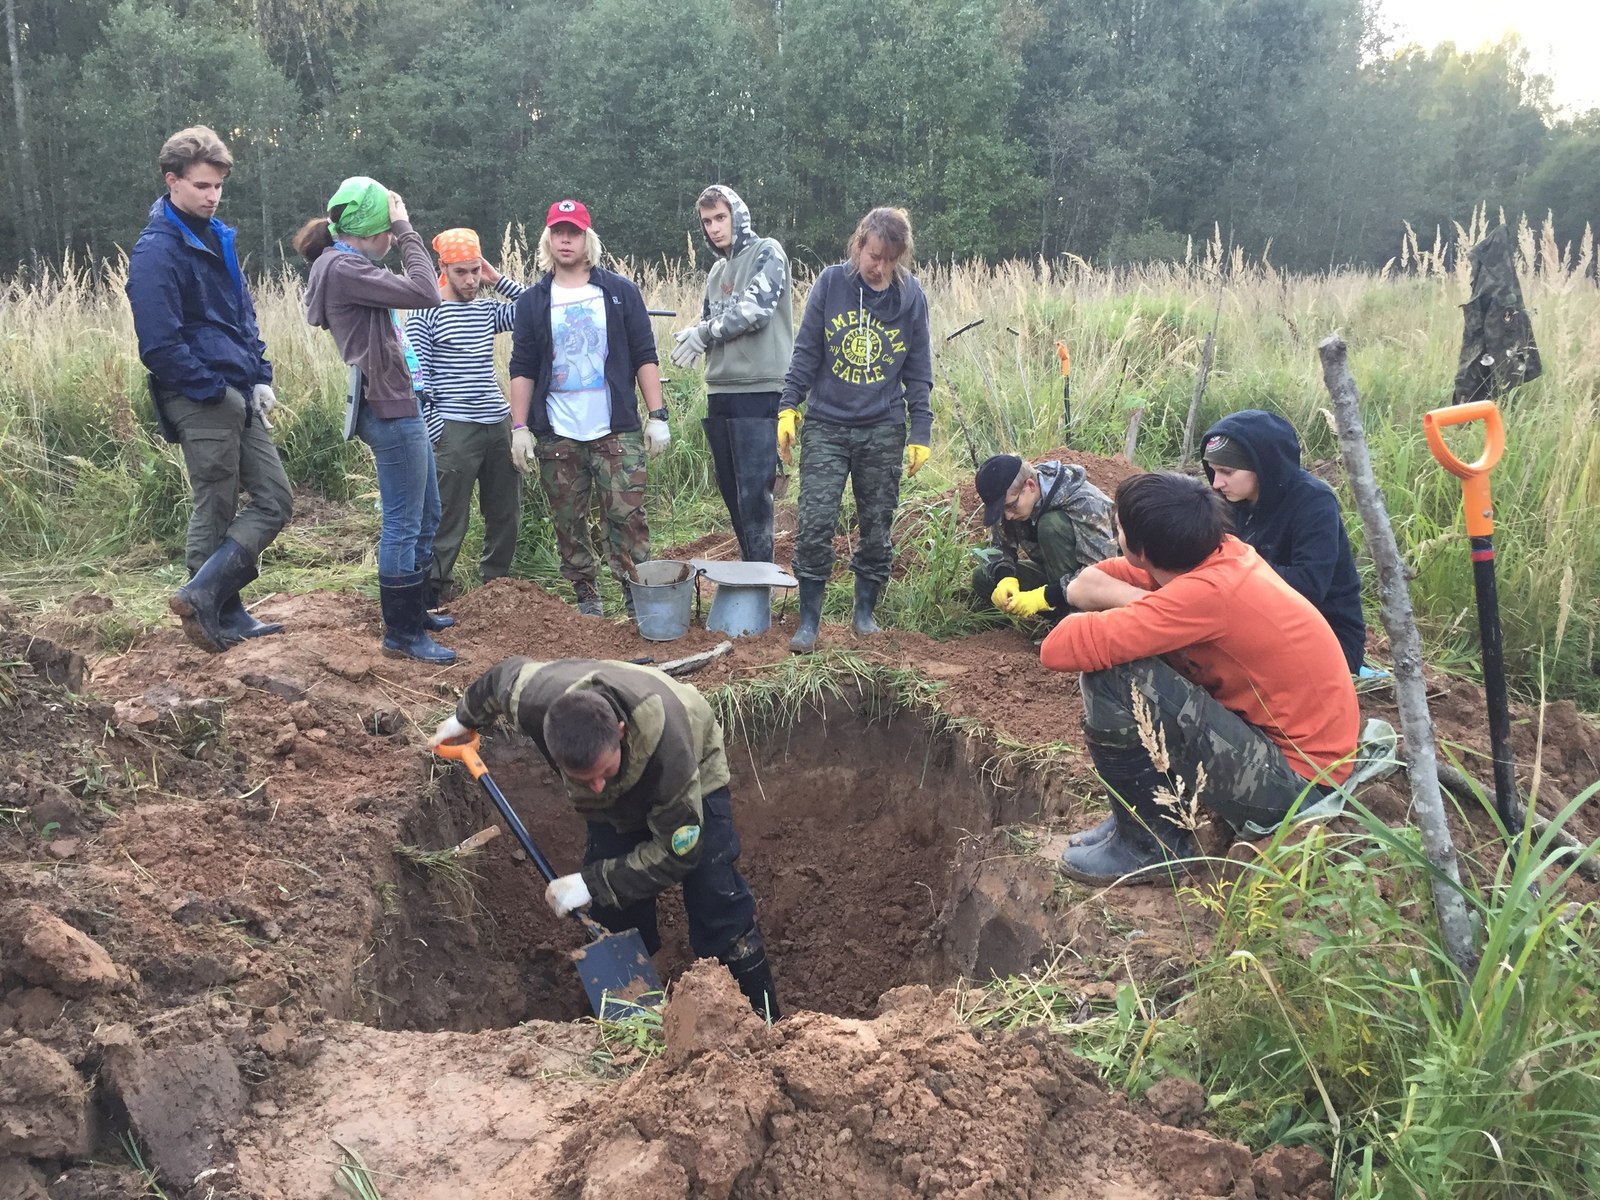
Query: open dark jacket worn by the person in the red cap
{"points": [[630, 345]]}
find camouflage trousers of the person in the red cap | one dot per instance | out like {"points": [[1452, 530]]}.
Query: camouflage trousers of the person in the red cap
{"points": [[575, 476]]}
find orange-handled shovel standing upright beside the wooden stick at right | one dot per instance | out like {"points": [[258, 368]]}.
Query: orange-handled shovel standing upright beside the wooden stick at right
{"points": [[1481, 532]]}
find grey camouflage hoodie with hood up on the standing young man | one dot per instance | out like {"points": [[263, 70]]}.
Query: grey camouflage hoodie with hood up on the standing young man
{"points": [[748, 318]]}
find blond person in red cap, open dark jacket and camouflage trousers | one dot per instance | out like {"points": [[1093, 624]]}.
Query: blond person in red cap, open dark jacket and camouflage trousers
{"points": [[582, 345]]}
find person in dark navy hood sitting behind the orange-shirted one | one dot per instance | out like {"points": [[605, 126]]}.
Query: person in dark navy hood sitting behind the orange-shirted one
{"points": [[1290, 516]]}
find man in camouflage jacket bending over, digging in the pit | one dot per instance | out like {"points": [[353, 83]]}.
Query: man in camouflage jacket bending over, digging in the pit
{"points": [[642, 759]]}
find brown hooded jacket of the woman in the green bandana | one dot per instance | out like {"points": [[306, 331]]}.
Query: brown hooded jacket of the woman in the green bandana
{"points": [[351, 297]]}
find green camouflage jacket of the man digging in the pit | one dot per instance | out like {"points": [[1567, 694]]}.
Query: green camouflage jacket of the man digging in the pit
{"points": [[673, 756]]}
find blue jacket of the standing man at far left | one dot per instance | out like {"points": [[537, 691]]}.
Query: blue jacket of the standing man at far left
{"points": [[193, 311]]}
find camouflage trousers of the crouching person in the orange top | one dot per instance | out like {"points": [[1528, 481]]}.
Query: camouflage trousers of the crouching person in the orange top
{"points": [[1247, 778]]}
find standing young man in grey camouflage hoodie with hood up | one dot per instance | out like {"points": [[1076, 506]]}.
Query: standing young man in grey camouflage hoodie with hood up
{"points": [[746, 334]]}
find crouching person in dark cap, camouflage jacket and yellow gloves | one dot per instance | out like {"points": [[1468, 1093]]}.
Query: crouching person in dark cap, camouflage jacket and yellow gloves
{"points": [[1047, 524]]}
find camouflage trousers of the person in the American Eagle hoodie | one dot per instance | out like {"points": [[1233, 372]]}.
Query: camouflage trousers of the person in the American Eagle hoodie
{"points": [[873, 458]]}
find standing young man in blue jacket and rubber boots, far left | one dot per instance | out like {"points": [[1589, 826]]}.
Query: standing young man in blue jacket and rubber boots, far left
{"points": [[212, 388]]}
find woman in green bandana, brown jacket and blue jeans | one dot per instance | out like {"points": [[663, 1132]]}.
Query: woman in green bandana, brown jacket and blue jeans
{"points": [[361, 303]]}
